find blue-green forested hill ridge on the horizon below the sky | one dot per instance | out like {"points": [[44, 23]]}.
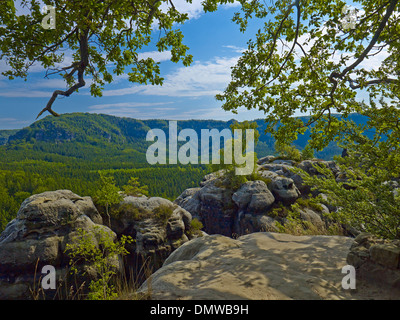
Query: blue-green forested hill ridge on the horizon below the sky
{"points": [[90, 136]]}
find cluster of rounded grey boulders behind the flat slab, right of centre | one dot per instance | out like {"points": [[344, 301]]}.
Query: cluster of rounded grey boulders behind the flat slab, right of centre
{"points": [[249, 208]]}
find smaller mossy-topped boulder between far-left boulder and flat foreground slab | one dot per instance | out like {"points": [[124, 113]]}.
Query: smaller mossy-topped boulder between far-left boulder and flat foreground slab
{"points": [[155, 237]]}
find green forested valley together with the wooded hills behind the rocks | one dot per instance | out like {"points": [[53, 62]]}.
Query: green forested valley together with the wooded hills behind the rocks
{"points": [[67, 152]]}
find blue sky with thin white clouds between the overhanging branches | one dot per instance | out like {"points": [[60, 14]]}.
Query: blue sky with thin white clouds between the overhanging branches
{"points": [[188, 92]]}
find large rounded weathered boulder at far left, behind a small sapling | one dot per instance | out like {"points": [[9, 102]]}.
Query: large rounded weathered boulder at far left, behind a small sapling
{"points": [[45, 223]]}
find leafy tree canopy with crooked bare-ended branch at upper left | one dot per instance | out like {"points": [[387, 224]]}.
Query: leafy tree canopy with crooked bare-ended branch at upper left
{"points": [[103, 37]]}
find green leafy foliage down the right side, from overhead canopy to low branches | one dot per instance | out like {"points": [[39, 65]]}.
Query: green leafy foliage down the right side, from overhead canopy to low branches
{"points": [[308, 58]]}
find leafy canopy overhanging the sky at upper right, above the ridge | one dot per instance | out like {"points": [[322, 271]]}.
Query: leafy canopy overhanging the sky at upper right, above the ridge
{"points": [[309, 59]]}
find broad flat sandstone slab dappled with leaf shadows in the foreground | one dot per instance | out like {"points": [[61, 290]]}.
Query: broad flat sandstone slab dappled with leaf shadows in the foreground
{"points": [[259, 266]]}
